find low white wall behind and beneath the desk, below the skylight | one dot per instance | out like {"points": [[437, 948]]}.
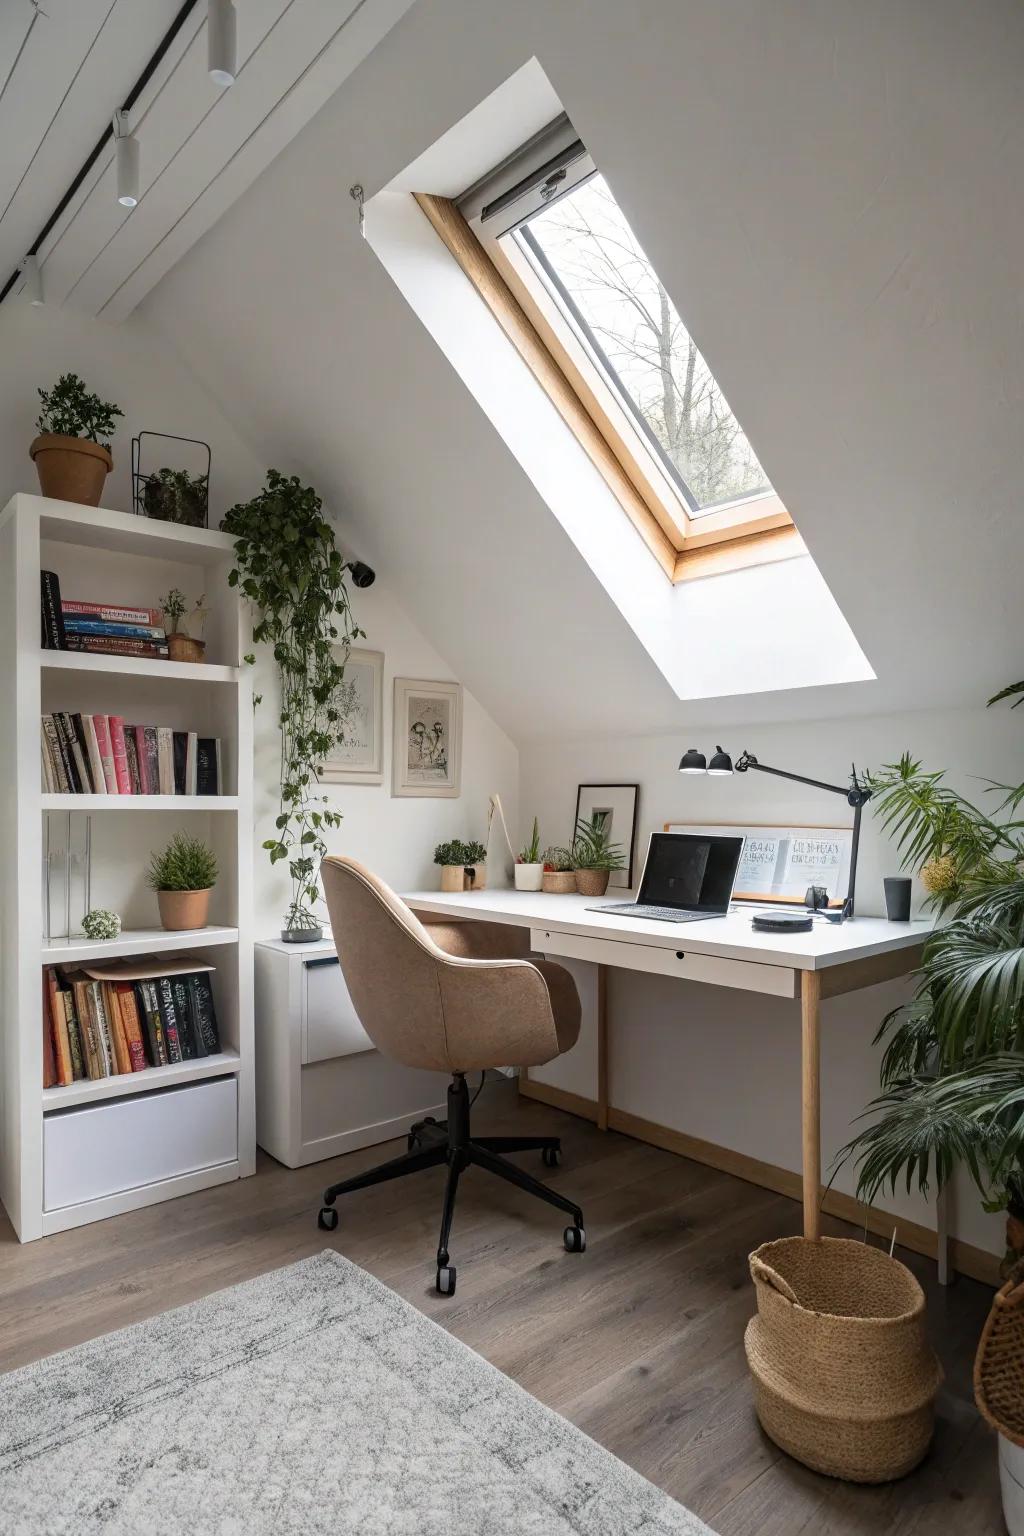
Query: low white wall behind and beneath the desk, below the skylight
{"points": [[725, 1065]]}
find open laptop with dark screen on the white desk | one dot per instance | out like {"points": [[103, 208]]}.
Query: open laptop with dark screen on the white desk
{"points": [[687, 878]]}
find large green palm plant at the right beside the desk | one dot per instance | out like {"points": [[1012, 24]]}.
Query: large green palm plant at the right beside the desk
{"points": [[953, 1071]]}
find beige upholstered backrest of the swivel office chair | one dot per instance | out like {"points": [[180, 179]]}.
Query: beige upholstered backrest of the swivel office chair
{"points": [[420, 1005]]}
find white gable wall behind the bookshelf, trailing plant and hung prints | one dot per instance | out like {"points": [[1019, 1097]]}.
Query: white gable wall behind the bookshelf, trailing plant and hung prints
{"points": [[134, 366]]}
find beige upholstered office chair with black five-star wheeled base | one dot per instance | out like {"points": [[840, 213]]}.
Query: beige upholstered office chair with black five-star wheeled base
{"points": [[449, 998]]}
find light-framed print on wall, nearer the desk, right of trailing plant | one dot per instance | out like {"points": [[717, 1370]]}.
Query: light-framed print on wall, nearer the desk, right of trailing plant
{"points": [[428, 753]]}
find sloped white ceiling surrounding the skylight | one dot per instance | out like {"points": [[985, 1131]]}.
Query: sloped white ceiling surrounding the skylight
{"points": [[833, 197]]}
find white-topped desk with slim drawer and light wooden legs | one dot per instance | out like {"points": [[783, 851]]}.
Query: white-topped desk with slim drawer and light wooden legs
{"points": [[827, 962]]}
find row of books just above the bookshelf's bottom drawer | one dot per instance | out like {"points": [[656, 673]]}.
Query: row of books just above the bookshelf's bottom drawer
{"points": [[125, 1018]]}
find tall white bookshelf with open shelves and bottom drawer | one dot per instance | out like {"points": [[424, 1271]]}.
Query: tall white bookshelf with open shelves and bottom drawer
{"points": [[116, 557]]}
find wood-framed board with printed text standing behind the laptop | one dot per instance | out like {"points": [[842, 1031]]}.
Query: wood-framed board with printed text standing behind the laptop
{"points": [[781, 862]]}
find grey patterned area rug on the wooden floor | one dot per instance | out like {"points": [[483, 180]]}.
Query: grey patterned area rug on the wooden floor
{"points": [[311, 1400]]}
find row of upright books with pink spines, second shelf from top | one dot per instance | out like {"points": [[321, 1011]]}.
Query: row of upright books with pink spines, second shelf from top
{"points": [[104, 755]]}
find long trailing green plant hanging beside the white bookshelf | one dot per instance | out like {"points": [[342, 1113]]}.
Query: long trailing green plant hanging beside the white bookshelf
{"points": [[294, 577]]}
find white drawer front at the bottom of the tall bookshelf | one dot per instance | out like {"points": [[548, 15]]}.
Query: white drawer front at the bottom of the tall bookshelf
{"points": [[104, 1150]]}
